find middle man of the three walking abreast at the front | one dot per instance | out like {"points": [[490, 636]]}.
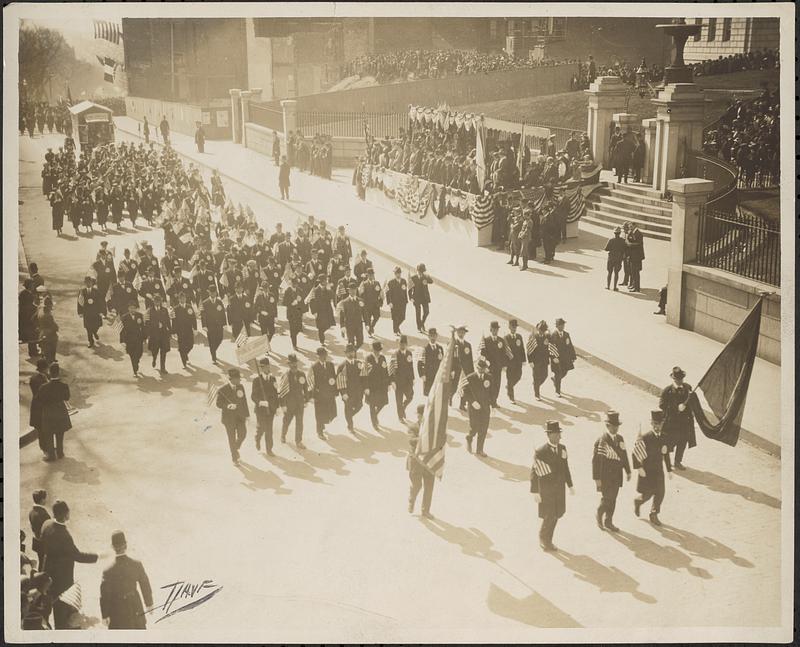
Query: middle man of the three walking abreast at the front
{"points": [[609, 461]]}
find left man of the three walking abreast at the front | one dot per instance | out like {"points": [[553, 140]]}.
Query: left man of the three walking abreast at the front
{"points": [[550, 476]]}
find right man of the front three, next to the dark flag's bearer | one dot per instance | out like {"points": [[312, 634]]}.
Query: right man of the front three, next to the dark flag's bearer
{"points": [[650, 455]]}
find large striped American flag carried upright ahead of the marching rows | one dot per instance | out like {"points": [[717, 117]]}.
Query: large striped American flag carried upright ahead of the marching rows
{"points": [[433, 430]]}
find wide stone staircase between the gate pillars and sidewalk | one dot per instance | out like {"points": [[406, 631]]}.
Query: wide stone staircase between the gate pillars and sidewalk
{"points": [[612, 204]]}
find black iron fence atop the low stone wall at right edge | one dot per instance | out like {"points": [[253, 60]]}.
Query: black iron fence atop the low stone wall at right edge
{"points": [[739, 243]]}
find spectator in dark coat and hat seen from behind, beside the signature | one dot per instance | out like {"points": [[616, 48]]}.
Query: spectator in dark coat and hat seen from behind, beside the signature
{"points": [[120, 602]]}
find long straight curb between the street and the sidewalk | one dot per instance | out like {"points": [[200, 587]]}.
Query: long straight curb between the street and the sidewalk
{"points": [[745, 435]]}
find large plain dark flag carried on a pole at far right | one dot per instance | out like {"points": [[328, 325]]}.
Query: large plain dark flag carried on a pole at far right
{"points": [[724, 386]]}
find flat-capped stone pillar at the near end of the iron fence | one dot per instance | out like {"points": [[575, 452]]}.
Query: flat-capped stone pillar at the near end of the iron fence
{"points": [[689, 196]]}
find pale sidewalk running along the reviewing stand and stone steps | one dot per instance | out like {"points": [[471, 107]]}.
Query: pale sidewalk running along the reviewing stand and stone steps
{"points": [[642, 350]]}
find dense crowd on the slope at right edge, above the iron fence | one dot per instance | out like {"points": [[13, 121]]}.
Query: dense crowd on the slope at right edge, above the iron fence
{"points": [[748, 136]]}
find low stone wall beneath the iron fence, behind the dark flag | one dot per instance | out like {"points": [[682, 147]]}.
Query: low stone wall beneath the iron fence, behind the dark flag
{"points": [[714, 303]]}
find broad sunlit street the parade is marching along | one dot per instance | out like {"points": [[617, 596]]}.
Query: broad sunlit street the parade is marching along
{"points": [[149, 457]]}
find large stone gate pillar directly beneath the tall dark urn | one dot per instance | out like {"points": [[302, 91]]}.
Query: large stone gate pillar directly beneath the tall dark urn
{"points": [[679, 130]]}
